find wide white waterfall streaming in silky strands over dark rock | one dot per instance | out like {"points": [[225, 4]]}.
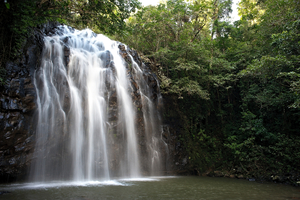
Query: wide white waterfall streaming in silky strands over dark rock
{"points": [[97, 111]]}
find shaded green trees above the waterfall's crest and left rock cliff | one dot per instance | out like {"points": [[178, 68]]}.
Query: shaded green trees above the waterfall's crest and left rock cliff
{"points": [[19, 17]]}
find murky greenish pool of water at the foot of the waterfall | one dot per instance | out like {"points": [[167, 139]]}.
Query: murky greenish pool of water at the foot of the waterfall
{"points": [[202, 188]]}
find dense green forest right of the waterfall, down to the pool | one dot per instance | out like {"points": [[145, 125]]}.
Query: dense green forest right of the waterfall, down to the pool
{"points": [[235, 86]]}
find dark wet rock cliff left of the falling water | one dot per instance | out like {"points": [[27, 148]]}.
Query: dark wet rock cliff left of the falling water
{"points": [[17, 109]]}
